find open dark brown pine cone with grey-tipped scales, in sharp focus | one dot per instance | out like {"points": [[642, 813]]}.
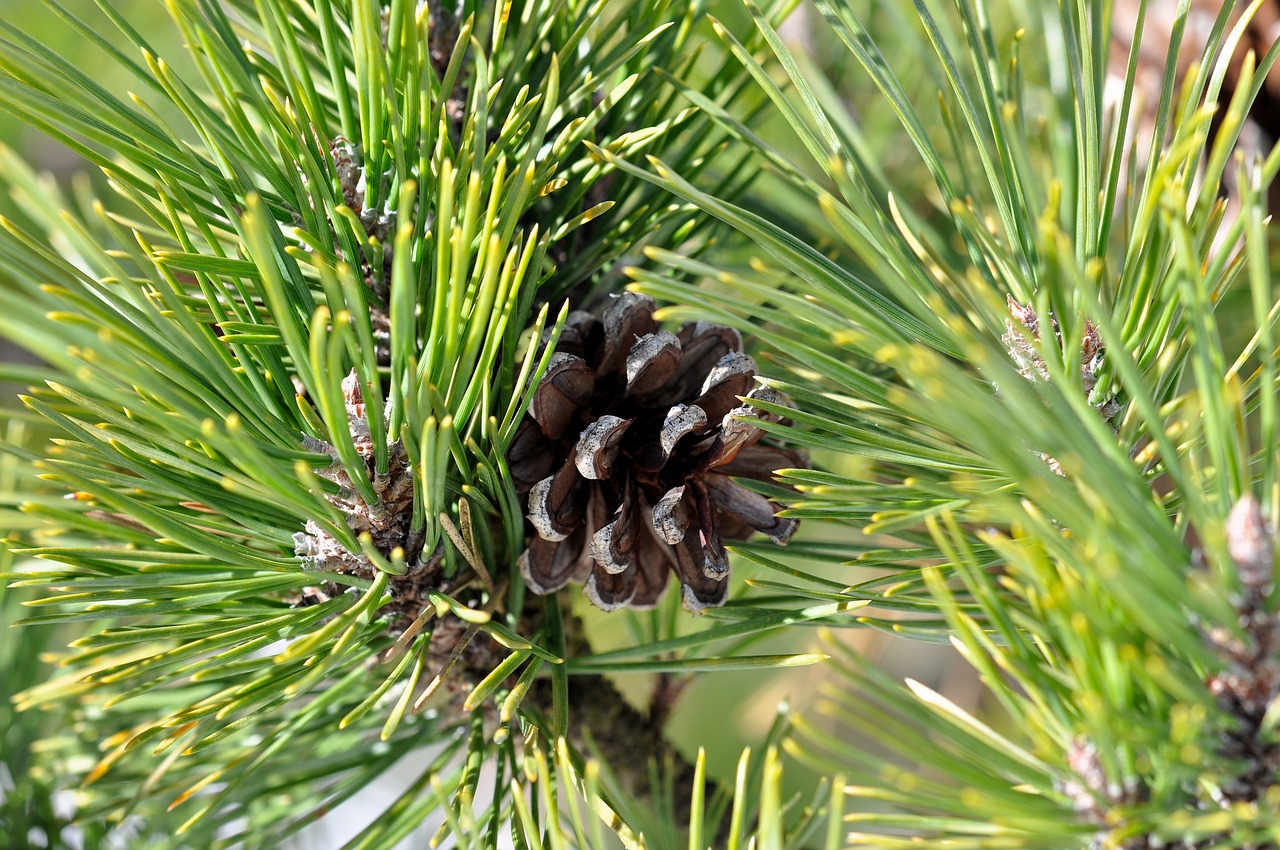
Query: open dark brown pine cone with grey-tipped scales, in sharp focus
{"points": [[627, 459]]}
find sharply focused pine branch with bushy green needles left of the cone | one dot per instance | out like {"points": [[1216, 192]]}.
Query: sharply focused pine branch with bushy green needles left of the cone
{"points": [[290, 353]]}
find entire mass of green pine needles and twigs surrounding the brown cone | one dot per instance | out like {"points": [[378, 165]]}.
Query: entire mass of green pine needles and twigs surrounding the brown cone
{"points": [[1027, 336]]}
